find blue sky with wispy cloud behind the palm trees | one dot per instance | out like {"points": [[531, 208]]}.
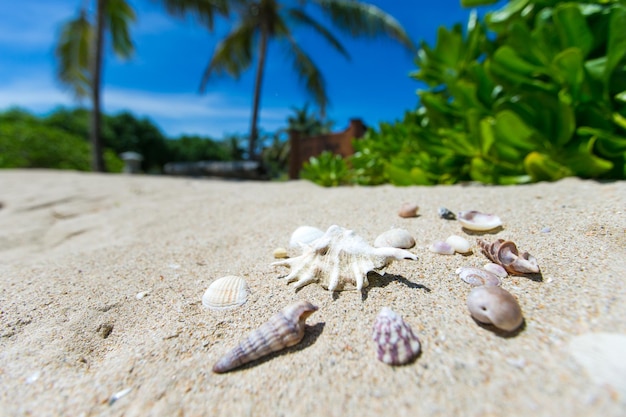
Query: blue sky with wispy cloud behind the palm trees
{"points": [[161, 80]]}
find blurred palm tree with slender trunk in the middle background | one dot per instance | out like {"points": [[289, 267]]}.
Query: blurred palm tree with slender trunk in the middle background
{"points": [[263, 20]]}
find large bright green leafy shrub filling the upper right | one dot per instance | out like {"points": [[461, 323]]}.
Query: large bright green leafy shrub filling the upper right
{"points": [[535, 92]]}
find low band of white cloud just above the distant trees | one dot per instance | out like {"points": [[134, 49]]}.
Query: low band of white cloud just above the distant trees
{"points": [[174, 113]]}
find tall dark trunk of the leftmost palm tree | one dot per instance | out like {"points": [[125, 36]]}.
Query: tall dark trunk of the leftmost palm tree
{"points": [[95, 129]]}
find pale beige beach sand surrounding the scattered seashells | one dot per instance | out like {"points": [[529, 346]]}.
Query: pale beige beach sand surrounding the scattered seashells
{"points": [[77, 248]]}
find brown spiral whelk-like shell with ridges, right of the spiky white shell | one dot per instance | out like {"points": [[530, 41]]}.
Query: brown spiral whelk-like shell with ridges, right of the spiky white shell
{"points": [[505, 253]]}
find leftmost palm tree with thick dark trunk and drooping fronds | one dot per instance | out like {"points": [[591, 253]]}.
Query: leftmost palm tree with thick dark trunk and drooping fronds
{"points": [[80, 50]]}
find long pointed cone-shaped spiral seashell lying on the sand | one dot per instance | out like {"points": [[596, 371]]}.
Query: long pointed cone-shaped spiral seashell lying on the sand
{"points": [[281, 331]]}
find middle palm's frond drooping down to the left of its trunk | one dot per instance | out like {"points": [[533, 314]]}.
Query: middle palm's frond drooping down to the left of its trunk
{"points": [[233, 54]]}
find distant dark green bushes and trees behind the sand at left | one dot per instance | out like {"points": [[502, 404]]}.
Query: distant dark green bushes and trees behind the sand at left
{"points": [[58, 141]]}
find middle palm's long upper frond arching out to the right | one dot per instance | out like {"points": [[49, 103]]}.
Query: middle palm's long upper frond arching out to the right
{"points": [[364, 19]]}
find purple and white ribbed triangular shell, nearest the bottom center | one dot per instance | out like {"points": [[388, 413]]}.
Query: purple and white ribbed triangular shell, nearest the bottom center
{"points": [[396, 344]]}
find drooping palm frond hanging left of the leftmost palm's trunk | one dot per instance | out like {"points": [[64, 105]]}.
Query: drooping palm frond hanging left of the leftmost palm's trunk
{"points": [[73, 52]]}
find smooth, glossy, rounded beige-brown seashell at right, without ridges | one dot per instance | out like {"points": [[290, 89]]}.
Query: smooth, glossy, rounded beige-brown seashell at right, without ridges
{"points": [[494, 305]]}
